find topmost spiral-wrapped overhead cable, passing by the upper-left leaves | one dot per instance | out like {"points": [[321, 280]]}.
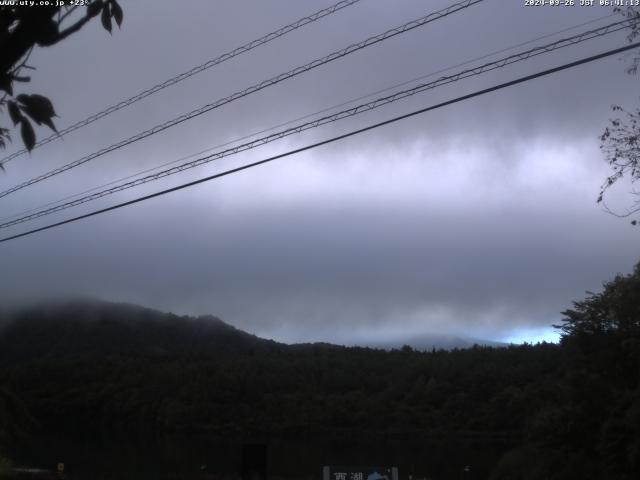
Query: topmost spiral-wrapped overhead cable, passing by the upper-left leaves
{"points": [[189, 73]]}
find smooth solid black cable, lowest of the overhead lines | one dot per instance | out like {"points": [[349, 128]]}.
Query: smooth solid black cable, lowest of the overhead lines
{"points": [[331, 140]]}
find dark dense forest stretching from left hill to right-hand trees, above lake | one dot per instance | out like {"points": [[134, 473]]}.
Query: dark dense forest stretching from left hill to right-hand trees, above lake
{"points": [[552, 411]]}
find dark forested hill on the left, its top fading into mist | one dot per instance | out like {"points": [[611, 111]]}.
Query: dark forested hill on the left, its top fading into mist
{"points": [[94, 328]]}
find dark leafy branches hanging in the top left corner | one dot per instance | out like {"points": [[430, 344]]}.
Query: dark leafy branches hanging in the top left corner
{"points": [[23, 28]]}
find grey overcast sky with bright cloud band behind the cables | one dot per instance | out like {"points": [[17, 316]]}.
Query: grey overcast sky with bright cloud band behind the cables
{"points": [[476, 219]]}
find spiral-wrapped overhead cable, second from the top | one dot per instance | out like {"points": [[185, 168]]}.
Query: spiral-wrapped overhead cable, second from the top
{"points": [[255, 88]]}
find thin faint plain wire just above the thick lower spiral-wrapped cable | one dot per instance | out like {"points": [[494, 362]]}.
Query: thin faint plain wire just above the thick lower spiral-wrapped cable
{"points": [[304, 117]]}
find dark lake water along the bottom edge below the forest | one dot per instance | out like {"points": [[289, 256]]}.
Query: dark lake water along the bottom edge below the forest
{"points": [[196, 457]]}
